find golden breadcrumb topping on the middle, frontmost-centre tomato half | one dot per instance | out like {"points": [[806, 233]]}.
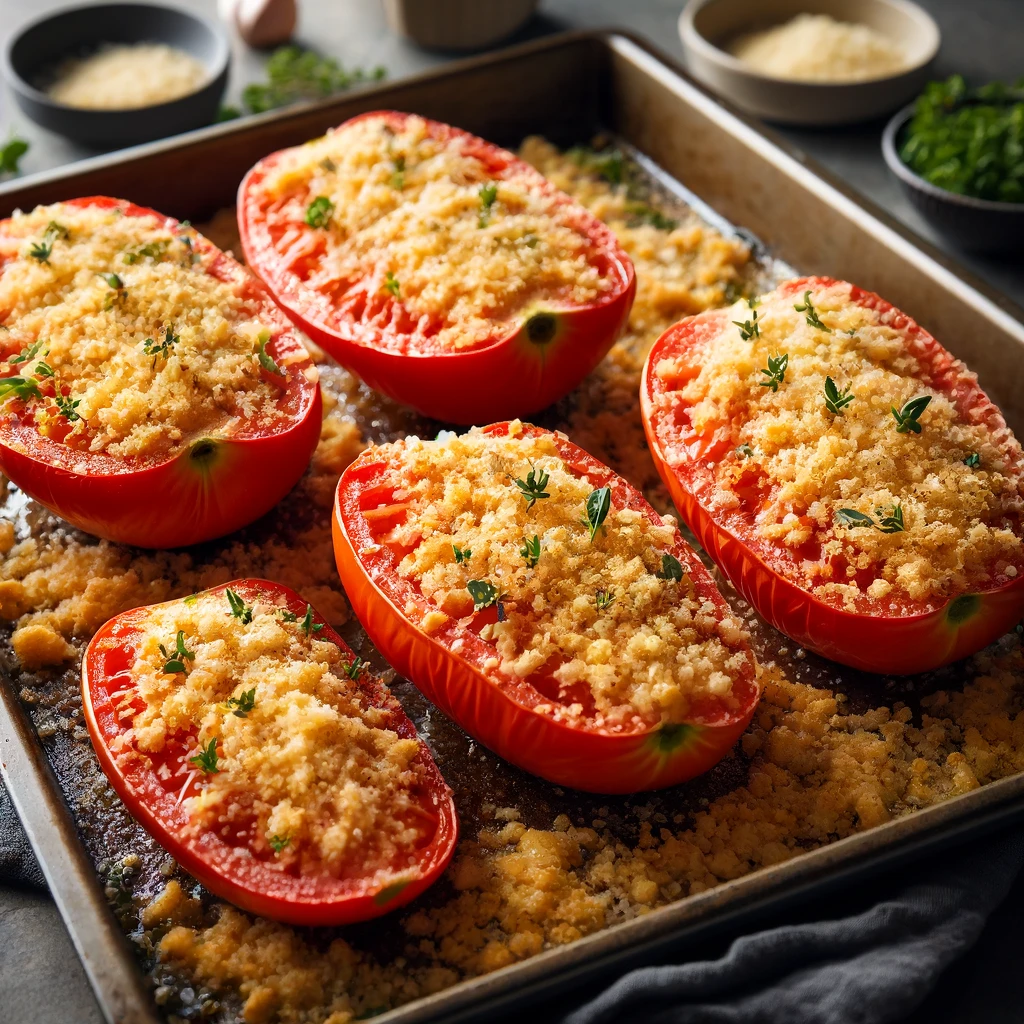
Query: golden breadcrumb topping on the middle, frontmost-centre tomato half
{"points": [[586, 612]]}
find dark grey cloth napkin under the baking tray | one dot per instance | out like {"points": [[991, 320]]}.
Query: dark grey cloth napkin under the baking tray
{"points": [[870, 967]]}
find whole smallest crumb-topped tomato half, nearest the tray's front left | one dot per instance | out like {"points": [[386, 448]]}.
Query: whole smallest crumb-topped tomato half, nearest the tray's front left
{"points": [[243, 734]]}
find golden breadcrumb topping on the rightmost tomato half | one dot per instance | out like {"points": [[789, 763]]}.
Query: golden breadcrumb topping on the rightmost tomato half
{"points": [[936, 511]]}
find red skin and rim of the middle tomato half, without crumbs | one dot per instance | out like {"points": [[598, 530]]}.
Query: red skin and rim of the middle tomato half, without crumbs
{"points": [[502, 713]]}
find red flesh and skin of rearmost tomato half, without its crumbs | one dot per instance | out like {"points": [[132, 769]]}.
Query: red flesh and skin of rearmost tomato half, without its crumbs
{"points": [[545, 352]]}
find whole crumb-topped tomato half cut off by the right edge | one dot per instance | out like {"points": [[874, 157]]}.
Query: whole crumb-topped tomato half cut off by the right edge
{"points": [[846, 474]]}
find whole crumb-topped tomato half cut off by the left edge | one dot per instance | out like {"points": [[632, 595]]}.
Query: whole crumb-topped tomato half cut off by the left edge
{"points": [[151, 392]]}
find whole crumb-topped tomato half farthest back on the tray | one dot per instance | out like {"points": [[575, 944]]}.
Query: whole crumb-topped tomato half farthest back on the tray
{"points": [[441, 269]]}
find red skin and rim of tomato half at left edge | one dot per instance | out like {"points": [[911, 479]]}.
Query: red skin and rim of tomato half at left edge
{"points": [[203, 492]]}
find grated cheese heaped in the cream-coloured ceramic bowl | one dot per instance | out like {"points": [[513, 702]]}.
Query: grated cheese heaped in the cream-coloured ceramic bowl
{"points": [[818, 49]]}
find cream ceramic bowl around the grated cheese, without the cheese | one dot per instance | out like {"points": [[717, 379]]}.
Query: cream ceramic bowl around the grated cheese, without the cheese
{"points": [[707, 26]]}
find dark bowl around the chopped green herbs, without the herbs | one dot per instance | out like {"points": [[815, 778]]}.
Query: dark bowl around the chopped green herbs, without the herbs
{"points": [[977, 225]]}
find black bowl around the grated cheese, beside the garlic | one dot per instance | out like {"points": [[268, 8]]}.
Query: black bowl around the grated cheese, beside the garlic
{"points": [[42, 45]]}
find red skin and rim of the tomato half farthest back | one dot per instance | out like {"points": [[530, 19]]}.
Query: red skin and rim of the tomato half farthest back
{"points": [[509, 376]]}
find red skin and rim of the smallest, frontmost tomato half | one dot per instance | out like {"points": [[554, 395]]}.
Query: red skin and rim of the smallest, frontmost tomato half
{"points": [[233, 873]]}
